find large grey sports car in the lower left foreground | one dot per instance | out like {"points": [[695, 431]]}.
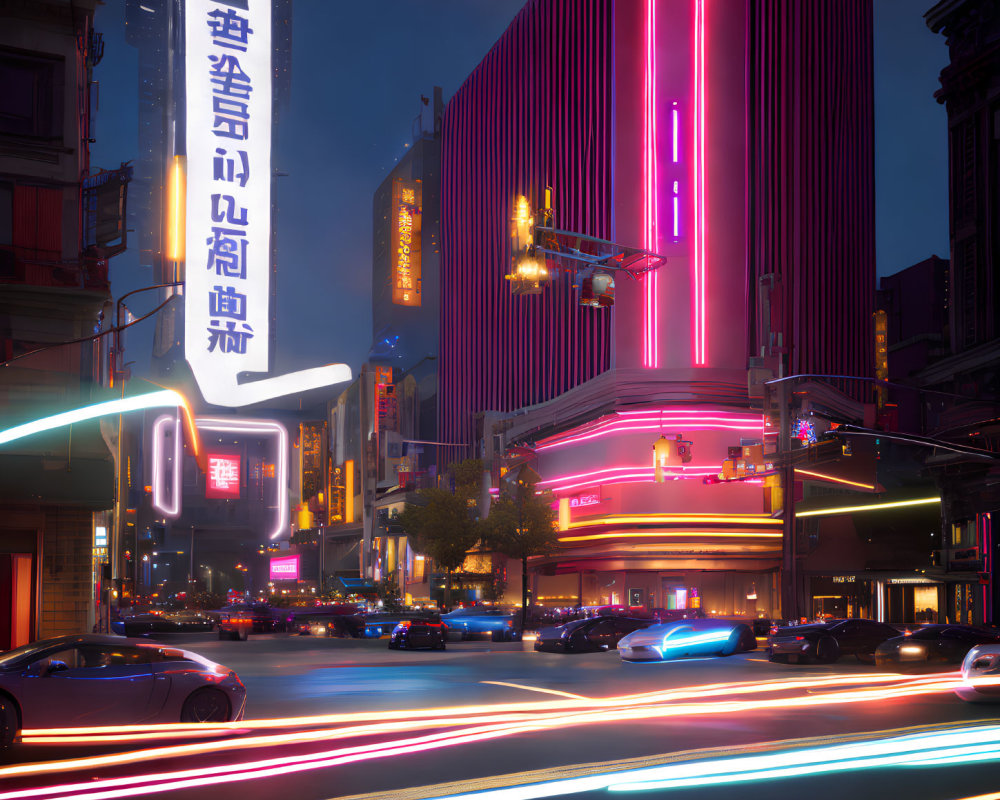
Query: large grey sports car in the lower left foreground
{"points": [[88, 680]]}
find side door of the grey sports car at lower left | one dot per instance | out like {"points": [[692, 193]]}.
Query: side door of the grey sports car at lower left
{"points": [[87, 684]]}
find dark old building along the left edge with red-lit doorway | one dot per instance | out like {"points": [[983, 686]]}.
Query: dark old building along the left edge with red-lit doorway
{"points": [[58, 226]]}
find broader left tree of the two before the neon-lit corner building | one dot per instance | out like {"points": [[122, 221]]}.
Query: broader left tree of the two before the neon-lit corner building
{"points": [[444, 524]]}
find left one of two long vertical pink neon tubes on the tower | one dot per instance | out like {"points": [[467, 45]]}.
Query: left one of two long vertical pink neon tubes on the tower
{"points": [[651, 354]]}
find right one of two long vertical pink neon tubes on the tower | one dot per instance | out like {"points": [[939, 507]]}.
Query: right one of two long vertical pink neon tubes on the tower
{"points": [[699, 184]]}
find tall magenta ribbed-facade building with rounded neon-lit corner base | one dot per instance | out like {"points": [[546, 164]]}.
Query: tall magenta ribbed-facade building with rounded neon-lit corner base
{"points": [[675, 126]]}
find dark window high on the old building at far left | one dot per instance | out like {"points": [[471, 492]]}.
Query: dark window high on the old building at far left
{"points": [[32, 99]]}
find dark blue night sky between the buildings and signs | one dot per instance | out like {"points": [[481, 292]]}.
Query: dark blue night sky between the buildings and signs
{"points": [[358, 72]]}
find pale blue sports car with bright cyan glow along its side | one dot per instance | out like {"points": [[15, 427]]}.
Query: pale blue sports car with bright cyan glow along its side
{"points": [[690, 637]]}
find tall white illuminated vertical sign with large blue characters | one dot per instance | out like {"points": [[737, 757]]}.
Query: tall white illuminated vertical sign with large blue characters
{"points": [[227, 275]]}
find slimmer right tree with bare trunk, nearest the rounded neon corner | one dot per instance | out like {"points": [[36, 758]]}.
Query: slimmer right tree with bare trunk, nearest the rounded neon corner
{"points": [[521, 524]]}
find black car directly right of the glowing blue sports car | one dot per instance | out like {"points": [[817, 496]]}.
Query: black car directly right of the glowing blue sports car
{"points": [[825, 642]]}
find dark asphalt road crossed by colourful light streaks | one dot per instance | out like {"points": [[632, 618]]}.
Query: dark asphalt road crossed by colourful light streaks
{"points": [[288, 676]]}
